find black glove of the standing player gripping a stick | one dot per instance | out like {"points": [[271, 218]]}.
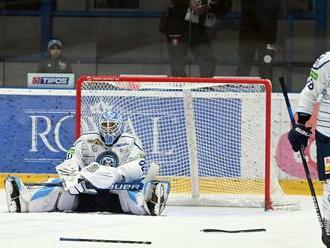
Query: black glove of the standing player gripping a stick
{"points": [[298, 136]]}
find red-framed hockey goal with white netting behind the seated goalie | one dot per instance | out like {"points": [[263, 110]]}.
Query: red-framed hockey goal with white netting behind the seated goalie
{"points": [[211, 137]]}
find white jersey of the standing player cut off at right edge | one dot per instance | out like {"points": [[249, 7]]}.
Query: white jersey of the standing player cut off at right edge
{"points": [[318, 88]]}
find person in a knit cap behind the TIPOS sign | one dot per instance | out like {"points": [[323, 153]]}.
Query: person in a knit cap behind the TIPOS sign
{"points": [[54, 62]]}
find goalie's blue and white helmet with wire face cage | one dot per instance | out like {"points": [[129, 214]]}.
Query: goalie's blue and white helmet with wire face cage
{"points": [[111, 126]]}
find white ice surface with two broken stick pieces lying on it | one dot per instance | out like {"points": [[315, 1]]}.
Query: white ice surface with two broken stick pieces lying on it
{"points": [[178, 227]]}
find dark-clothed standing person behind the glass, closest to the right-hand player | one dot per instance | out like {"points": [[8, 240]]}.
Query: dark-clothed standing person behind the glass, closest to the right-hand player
{"points": [[257, 35]]}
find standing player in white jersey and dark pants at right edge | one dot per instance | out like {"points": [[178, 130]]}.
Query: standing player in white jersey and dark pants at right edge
{"points": [[317, 87]]}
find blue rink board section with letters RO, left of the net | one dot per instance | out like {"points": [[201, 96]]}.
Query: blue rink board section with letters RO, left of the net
{"points": [[36, 129]]}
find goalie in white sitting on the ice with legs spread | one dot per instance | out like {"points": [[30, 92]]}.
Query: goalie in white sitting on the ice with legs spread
{"points": [[93, 165]]}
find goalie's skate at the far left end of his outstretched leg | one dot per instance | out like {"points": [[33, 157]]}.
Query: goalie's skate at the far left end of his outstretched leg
{"points": [[13, 187]]}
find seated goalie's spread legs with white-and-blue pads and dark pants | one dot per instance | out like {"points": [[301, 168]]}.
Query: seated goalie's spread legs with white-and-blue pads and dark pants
{"points": [[151, 200]]}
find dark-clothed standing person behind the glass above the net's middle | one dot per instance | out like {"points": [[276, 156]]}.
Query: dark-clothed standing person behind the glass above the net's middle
{"points": [[186, 28]]}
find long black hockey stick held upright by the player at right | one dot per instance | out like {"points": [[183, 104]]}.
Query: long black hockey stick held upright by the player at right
{"points": [[303, 159]]}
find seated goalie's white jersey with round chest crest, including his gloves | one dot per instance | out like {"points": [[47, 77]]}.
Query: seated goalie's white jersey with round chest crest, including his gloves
{"points": [[121, 162]]}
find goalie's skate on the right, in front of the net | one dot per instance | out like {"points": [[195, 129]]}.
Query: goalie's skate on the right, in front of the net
{"points": [[158, 194]]}
